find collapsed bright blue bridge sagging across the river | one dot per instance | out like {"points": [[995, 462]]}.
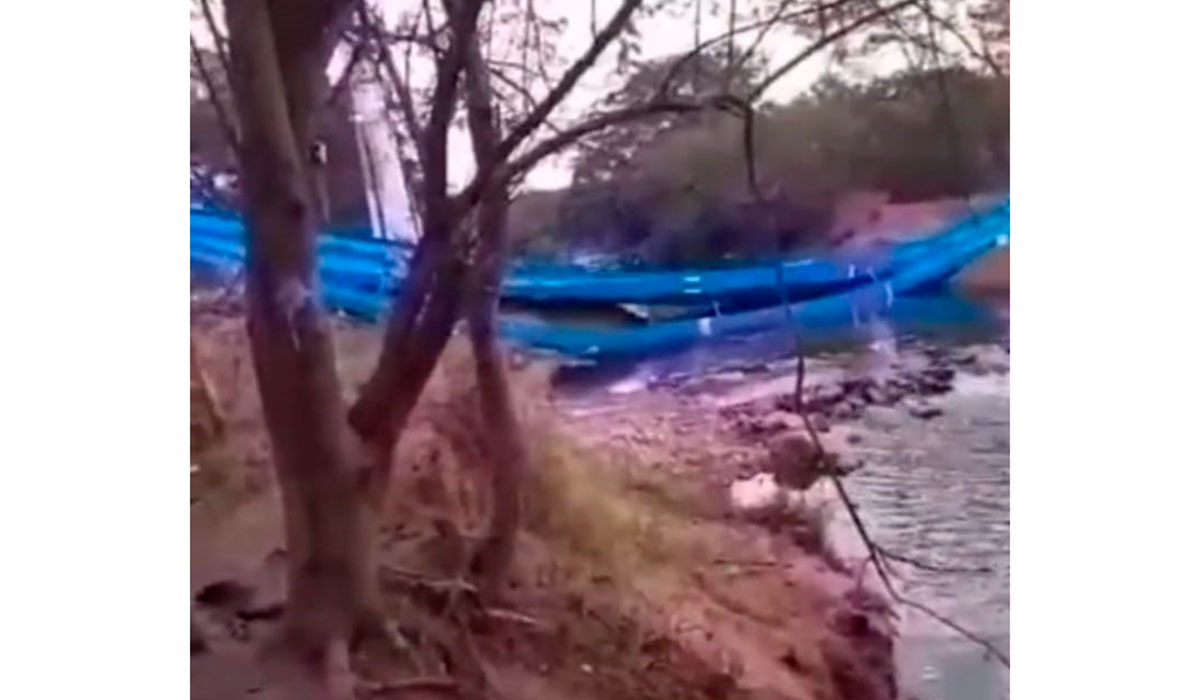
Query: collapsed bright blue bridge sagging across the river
{"points": [[363, 277]]}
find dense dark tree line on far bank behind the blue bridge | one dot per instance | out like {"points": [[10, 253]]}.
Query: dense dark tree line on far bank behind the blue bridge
{"points": [[673, 192]]}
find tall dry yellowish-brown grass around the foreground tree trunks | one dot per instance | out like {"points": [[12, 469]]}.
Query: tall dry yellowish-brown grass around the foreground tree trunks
{"points": [[603, 510]]}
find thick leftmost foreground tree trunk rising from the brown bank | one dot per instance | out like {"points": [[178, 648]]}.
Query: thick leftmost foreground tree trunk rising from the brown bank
{"points": [[332, 579]]}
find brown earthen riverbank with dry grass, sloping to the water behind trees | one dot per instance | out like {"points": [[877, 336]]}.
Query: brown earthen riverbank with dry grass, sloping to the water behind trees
{"points": [[637, 578]]}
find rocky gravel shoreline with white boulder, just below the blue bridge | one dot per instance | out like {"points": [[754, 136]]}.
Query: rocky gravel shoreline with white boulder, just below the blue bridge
{"points": [[748, 415]]}
